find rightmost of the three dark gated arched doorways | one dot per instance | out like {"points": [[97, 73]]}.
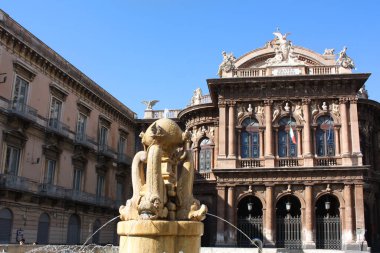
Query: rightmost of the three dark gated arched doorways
{"points": [[328, 226]]}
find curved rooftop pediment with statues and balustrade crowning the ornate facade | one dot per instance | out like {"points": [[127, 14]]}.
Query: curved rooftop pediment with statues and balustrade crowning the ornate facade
{"points": [[280, 56]]}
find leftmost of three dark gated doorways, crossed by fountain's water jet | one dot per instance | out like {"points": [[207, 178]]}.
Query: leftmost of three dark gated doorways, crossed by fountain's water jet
{"points": [[250, 220]]}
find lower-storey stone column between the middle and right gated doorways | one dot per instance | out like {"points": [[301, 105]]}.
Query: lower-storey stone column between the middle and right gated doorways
{"points": [[309, 218]]}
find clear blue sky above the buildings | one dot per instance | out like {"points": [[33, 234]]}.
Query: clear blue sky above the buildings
{"points": [[165, 49]]}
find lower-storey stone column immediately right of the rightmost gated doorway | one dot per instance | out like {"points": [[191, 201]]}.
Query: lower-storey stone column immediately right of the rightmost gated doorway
{"points": [[348, 217]]}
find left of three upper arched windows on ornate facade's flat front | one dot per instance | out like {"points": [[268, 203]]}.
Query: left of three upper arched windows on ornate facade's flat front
{"points": [[250, 139]]}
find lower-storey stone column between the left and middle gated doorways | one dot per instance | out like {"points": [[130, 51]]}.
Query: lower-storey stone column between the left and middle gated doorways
{"points": [[269, 217]]}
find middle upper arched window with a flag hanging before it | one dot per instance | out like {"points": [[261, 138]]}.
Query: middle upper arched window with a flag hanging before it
{"points": [[287, 137]]}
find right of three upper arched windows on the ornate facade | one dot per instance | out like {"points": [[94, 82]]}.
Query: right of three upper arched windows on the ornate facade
{"points": [[325, 143]]}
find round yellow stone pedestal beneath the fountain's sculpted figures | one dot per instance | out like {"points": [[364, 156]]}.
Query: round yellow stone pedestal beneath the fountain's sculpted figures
{"points": [[158, 236]]}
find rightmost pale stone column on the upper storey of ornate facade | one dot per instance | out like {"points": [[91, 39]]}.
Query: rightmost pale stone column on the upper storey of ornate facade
{"points": [[355, 138]]}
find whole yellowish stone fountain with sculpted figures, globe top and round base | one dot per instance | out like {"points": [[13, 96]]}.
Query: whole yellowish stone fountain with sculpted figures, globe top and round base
{"points": [[162, 215]]}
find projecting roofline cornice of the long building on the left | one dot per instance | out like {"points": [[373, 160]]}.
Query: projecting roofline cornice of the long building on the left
{"points": [[18, 40]]}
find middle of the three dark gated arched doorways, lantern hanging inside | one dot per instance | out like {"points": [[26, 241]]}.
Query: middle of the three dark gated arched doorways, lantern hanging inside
{"points": [[288, 223]]}
